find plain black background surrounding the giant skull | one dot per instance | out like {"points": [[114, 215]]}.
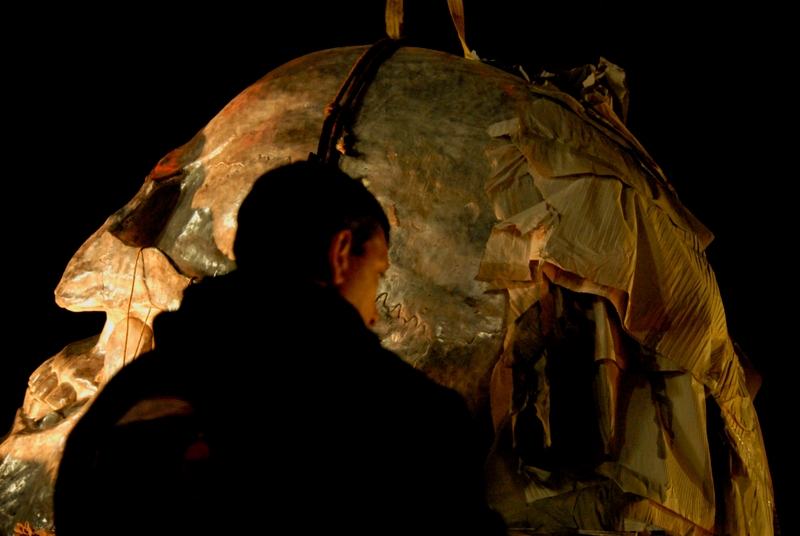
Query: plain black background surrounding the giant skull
{"points": [[95, 97]]}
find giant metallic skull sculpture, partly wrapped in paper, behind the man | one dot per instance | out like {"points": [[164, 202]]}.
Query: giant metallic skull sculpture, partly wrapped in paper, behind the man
{"points": [[524, 221]]}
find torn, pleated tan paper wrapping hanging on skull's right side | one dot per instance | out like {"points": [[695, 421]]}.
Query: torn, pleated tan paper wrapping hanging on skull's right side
{"points": [[581, 205]]}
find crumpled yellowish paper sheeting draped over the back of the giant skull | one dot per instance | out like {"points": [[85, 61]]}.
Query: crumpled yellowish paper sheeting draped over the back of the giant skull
{"points": [[588, 211]]}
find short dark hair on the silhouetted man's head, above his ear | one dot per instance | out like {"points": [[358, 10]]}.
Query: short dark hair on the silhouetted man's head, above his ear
{"points": [[287, 222]]}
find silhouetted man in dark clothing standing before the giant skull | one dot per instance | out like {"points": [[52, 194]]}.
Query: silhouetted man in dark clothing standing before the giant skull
{"points": [[269, 405]]}
